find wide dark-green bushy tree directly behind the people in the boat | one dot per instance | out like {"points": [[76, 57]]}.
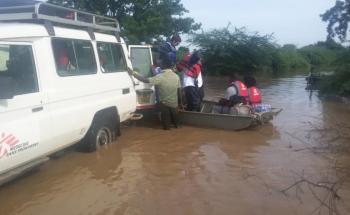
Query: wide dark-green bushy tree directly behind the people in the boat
{"points": [[237, 51]]}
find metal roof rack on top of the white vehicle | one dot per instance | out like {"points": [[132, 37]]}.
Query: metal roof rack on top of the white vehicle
{"points": [[57, 14]]}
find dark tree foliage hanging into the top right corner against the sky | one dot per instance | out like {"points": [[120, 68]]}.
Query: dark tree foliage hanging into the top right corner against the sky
{"points": [[338, 18]]}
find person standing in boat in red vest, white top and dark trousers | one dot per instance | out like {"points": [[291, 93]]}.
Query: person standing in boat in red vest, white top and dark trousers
{"points": [[192, 81]]}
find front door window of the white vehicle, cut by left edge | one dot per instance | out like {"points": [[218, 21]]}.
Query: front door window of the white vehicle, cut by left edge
{"points": [[17, 63]]}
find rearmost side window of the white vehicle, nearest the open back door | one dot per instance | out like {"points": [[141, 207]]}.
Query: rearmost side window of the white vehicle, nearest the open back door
{"points": [[111, 57]]}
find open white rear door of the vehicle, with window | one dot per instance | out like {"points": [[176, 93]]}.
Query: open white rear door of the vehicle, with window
{"points": [[142, 61]]}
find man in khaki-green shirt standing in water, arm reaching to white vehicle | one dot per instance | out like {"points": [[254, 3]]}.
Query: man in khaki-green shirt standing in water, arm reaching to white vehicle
{"points": [[168, 84]]}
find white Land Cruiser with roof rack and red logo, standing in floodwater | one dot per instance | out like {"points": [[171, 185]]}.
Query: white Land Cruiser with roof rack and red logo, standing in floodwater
{"points": [[63, 79]]}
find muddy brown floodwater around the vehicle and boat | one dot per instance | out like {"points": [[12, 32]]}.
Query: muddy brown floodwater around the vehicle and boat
{"points": [[194, 170]]}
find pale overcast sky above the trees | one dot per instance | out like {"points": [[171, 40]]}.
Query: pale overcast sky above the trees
{"points": [[292, 21]]}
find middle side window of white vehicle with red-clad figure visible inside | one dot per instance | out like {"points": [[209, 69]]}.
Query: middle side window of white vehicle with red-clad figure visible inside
{"points": [[74, 57]]}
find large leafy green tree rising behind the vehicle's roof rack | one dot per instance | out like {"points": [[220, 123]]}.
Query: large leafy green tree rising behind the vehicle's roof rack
{"points": [[141, 20]]}
